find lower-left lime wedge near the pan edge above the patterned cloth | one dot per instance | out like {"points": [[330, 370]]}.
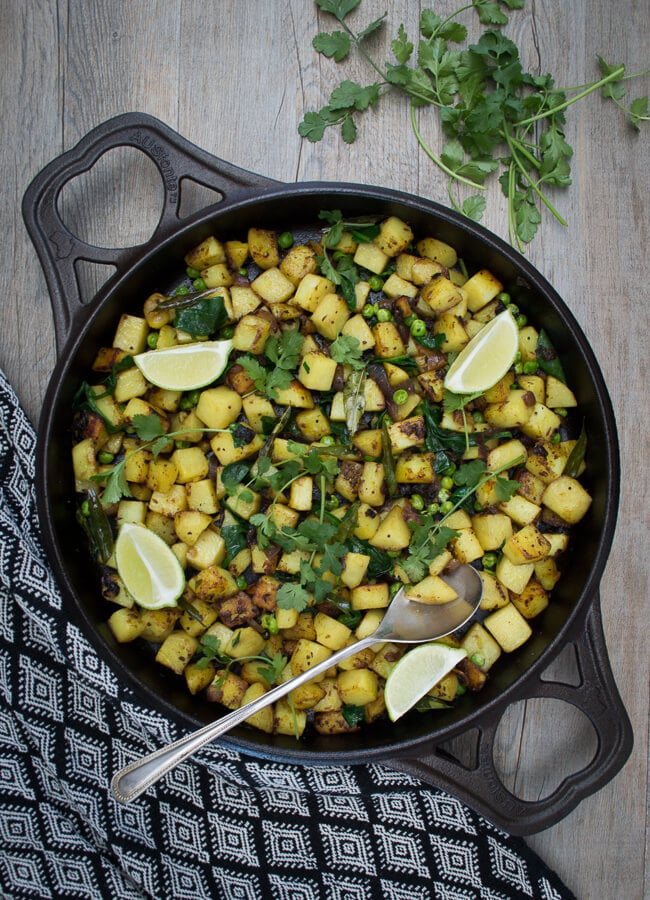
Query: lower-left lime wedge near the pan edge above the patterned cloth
{"points": [[148, 568]]}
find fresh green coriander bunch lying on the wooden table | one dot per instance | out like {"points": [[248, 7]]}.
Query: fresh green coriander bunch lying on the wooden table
{"points": [[498, 119]]}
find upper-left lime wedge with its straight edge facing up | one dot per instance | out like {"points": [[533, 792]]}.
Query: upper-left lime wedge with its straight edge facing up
{"points": [[186, 367]]}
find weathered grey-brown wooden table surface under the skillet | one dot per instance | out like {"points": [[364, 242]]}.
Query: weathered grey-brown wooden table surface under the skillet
{"points": [[236, 78]]}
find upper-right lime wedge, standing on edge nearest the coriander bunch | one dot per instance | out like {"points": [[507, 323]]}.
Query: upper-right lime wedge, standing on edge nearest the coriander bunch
{"points": [[487, 357]]}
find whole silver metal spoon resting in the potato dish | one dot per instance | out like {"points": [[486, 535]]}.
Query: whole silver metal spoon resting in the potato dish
{"points": [[405, 622]]}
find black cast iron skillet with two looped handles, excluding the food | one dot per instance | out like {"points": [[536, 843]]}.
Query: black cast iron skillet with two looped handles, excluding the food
{"points": [[249, 199]]}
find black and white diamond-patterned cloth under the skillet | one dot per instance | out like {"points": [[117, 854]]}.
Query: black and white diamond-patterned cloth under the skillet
{"points": [[223, 826]]}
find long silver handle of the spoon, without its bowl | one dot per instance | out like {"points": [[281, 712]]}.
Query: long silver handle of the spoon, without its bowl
{"points": [[133, 779]]}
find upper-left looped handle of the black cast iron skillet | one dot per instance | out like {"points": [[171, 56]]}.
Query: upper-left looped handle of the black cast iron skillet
{"points": [[176, 158]]}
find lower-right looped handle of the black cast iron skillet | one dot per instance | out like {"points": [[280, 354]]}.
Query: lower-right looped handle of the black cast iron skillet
{"points": [[596, 696]]}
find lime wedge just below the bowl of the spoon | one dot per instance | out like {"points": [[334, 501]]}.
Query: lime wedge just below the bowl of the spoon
{"points": [[416, 673]]}
